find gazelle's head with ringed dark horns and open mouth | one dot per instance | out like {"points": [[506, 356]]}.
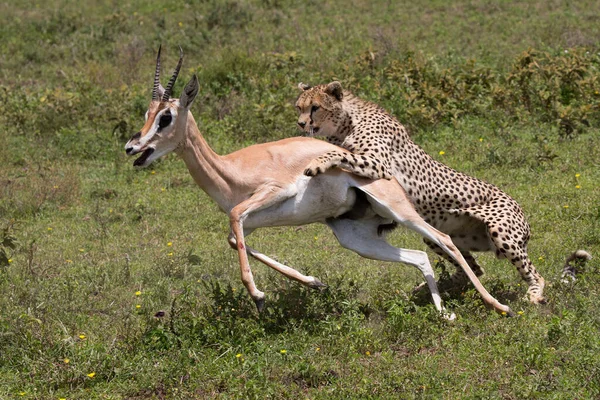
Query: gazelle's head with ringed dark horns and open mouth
{"points": [[166, 119]]}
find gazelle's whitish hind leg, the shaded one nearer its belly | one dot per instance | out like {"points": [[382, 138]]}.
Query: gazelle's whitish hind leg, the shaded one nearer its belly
{"points": [[361, 236]]}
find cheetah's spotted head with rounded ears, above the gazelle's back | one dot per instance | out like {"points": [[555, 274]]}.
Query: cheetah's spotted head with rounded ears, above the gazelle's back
{"points": [[320, 109]]}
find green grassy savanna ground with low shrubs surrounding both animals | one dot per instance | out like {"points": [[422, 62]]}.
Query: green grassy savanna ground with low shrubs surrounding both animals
{"points": [[118, 283]]}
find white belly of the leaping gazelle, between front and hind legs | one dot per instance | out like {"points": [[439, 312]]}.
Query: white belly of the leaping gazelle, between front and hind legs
{"points": [[317, 198]]}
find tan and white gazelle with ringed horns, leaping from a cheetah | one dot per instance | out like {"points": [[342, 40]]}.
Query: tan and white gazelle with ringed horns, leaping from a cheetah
{"points": [[264, 185]]}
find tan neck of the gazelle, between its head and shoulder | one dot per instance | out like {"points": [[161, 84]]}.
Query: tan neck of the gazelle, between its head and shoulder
{"points": [[215, 175]]}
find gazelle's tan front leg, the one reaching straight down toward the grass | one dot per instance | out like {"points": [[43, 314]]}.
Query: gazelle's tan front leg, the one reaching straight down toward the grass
{"points": [[263, 198]]}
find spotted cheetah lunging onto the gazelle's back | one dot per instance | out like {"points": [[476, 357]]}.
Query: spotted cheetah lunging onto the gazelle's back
{"points": [[477, 215]]}
